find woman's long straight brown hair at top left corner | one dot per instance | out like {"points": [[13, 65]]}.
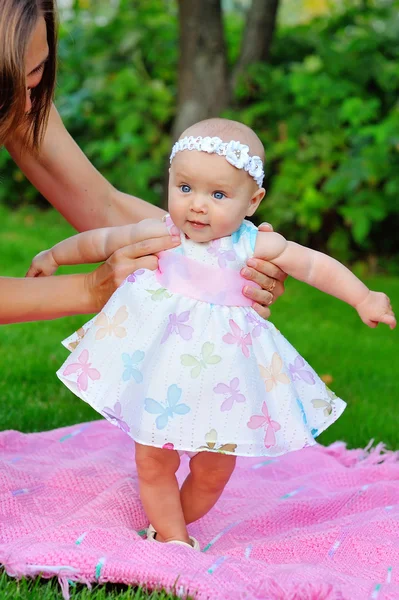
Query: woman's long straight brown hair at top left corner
{"points": [[18, 19]]}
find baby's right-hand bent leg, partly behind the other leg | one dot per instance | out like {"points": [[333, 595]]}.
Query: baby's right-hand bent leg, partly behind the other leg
{"points": [[209, 474]]}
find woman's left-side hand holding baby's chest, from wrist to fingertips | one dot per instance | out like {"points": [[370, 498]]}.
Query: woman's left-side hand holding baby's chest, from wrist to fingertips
{"points": [[103, 282]]}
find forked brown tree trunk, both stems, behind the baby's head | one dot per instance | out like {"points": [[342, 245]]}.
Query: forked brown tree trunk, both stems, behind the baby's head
{"points": [[204, 84]]}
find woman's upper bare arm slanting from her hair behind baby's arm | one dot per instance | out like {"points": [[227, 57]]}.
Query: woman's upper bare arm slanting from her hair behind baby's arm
{"points": [[67, 179]]}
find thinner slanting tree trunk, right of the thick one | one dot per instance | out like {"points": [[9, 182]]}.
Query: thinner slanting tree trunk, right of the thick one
{"points": [[258, 36]]}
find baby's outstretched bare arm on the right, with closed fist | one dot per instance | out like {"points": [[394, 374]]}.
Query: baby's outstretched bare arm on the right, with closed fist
{"points": [[326, 274]]}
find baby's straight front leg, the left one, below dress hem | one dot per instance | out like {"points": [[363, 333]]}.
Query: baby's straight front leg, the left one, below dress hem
{"points": [[159, 492]]}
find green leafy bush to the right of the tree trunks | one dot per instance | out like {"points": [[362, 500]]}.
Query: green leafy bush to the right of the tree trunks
{"points": [[328, 113]]}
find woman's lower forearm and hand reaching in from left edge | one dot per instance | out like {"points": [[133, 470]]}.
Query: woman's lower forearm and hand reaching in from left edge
{"points": [[52, 297]]}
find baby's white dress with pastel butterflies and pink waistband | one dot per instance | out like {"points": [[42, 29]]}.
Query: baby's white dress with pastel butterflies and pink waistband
{"points": [[179, 359]]}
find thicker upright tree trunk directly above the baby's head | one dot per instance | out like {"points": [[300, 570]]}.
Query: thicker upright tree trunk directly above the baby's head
{"points": [[203, 79]]}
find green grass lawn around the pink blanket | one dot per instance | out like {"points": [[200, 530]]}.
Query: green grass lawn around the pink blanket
{"points": [[362, 362]]}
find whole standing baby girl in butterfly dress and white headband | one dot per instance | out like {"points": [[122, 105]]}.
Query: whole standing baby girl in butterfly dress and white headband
{"points": [[178, 358]]}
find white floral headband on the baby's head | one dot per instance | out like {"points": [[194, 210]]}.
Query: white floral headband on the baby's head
{"points": [[235, 152]]}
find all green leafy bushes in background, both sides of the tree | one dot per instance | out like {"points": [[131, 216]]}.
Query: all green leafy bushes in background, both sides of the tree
{"points": [[326, 109]]}
